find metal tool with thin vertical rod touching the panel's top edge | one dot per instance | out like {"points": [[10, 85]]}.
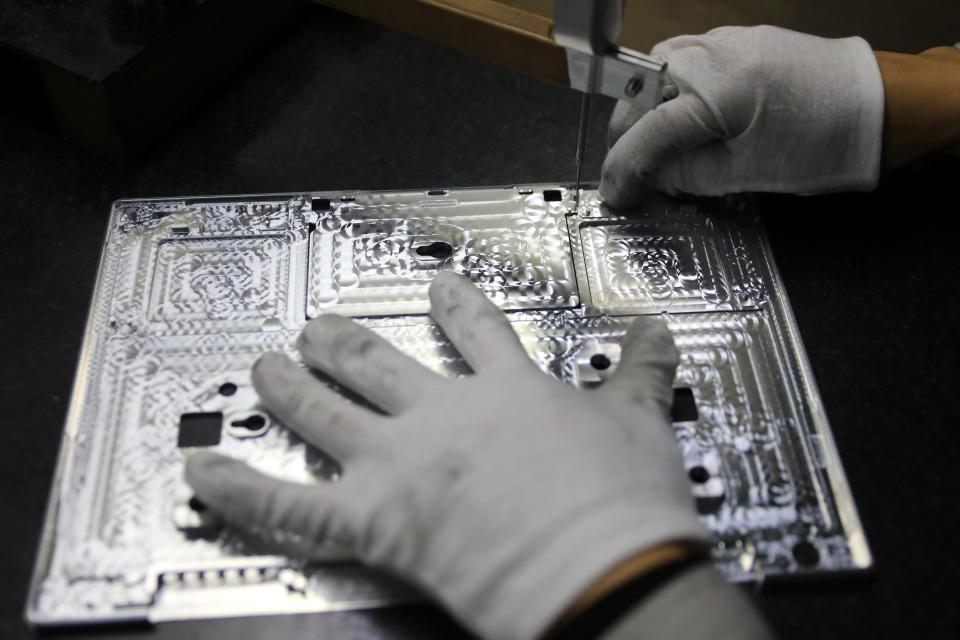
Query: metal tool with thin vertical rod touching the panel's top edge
{"points": [[587, 29]]}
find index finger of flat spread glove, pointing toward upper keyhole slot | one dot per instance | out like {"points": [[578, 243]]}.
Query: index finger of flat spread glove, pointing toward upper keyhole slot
{"points": [[476, 327]]}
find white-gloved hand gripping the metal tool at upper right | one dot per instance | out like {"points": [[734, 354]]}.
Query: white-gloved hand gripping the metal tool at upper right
{"points": [[752, 109]]}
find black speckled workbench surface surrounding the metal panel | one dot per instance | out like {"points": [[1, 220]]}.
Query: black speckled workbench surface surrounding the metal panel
{"points": [[343, 104]]}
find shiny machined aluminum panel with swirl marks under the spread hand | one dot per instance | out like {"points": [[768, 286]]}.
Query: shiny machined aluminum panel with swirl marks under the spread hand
{"points": [[191, 291]]}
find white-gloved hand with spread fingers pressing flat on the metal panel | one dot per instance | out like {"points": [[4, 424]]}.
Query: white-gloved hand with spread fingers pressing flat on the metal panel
{"points": [[503, 494]]}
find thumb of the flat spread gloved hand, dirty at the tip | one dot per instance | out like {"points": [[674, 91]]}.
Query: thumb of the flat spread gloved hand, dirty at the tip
{"points": [[648, 364]]}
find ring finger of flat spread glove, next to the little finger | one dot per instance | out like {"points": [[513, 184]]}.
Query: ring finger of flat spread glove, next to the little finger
{"points": [[321, 416]]}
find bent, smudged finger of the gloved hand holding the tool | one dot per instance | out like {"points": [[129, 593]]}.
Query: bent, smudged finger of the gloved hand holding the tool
{"points": [[658, 137]]}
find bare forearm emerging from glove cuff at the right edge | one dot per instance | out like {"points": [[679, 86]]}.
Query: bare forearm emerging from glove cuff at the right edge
{"points": [[922, 103]]}
